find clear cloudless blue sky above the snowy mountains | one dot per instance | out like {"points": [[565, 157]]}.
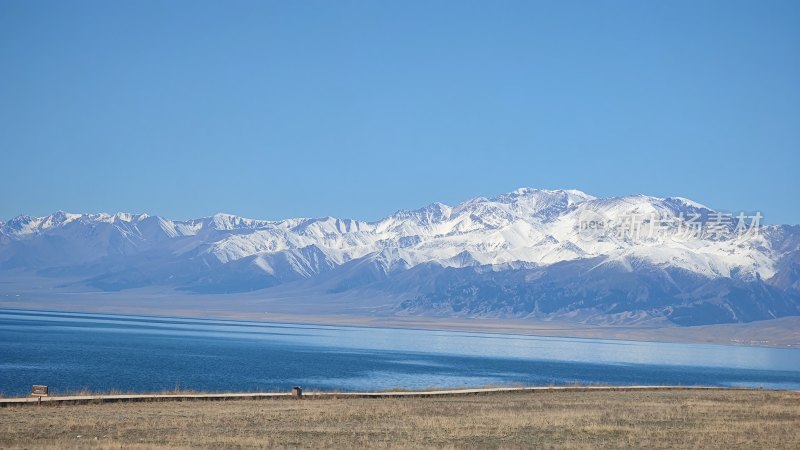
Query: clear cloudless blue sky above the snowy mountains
{"points": [[274, 109]]}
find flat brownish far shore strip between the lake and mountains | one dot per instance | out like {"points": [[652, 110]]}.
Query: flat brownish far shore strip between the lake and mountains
{"points": [[776, 333]]}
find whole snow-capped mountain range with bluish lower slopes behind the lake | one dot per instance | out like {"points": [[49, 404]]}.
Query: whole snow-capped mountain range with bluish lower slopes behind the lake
{"points": [[528, 253]]}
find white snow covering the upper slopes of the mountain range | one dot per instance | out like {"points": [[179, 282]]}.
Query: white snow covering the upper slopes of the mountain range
{"points": [[535, 226]]}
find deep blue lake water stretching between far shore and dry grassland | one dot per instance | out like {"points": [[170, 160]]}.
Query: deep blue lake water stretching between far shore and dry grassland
{"points": [[103, 352]]}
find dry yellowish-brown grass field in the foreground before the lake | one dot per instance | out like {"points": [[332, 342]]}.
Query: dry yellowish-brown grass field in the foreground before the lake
{"points": [[551, 419]]}
